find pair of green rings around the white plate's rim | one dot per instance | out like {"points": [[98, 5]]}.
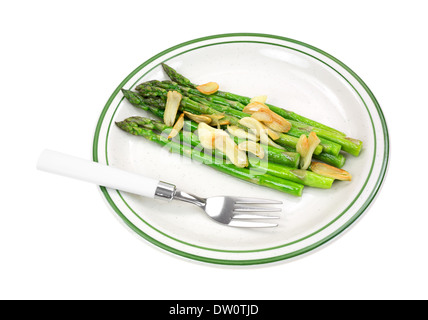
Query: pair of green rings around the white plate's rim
{"points": [[250, 261]]}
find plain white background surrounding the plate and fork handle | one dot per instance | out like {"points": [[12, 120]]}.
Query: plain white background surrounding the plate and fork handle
{"points": [[60, 61]]}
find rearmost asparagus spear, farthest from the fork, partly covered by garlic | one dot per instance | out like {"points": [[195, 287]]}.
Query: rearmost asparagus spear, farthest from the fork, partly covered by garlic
{"points": [[180, 79]]}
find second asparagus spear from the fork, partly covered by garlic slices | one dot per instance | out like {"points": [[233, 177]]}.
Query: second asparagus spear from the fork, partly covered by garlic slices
{"points": [[304, 177]]}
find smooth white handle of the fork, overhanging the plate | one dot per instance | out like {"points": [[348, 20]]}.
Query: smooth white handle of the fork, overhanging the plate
{"points": [[103, 175]]}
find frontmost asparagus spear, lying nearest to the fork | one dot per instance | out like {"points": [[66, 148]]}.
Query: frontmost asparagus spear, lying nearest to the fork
{"points": [[266, 180]]}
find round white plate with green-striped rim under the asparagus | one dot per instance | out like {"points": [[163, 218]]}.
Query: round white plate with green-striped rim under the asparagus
{"points": [[292, 74]]}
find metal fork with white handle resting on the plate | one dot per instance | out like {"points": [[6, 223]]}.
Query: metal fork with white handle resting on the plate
{"points": [[231, 211]]}
